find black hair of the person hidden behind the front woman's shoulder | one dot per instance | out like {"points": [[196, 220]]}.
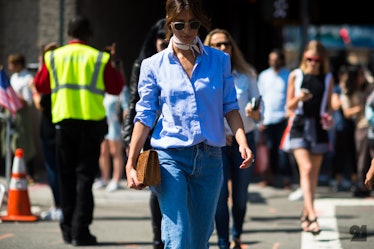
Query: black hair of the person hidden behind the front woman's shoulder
{"points": [[156, 31]]}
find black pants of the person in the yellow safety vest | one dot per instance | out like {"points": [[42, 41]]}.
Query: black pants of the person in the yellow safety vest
{"points": [[78, 150]]}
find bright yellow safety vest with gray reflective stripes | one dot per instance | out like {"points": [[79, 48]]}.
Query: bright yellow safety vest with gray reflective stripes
{"points": [[77, 82]]}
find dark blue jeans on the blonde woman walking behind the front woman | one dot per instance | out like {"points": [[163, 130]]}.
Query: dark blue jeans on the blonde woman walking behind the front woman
{"points": [[240, 179]]}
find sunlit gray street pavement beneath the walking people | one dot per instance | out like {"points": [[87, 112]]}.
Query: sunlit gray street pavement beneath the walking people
{"points": [[122, 220]]}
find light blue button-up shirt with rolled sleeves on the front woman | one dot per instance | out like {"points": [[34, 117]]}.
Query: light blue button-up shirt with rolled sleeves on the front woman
{"points": [[192, 109]]}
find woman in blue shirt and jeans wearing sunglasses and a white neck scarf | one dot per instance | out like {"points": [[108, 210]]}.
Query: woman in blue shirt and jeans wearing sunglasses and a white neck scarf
{"points": [[191, 85]]}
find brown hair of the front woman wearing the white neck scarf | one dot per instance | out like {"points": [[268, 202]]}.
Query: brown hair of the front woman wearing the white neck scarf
{"points": [[174, 7]]}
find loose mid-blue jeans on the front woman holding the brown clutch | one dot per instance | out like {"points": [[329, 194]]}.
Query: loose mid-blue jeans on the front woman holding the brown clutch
{"points": [[191, 180]]}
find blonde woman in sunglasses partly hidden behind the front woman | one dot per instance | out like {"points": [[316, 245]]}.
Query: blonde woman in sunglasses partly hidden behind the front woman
{"points": [[245, 78]]}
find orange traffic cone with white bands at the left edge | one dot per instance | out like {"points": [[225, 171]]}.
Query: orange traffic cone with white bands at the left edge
{"points": [[18, 197]]}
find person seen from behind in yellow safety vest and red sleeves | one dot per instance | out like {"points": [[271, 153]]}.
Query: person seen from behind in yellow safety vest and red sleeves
{"points": [[78, 75]]}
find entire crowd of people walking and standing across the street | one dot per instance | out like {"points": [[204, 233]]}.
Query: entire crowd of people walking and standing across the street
{"points": [[205, 109]]}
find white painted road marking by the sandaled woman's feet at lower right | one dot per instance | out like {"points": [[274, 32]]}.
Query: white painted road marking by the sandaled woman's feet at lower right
{"points": [[329, 237]]}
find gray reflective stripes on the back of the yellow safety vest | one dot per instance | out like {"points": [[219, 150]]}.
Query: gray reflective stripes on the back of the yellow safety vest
{"points": [[91, 87]]}
